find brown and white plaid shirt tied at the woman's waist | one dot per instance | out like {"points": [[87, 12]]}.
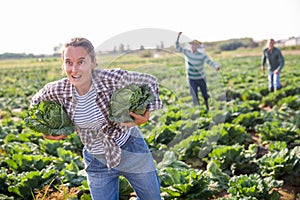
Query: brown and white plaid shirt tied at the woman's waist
{"points": [[105, 82]]}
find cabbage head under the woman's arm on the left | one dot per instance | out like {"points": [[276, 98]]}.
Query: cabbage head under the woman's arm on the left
{"points": [[50, 118]]}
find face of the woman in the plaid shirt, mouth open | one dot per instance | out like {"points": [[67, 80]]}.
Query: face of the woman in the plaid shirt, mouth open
{"points": [[78, 68]]}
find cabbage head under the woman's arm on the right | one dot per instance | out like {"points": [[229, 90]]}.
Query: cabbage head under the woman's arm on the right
{"points": [[133, 98]]}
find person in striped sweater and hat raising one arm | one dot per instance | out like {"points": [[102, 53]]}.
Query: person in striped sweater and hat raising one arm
{"points": [[194, 61]]}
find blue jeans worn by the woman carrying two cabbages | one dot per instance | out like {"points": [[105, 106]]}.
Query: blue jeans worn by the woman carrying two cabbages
{"points": [[104, 183]]}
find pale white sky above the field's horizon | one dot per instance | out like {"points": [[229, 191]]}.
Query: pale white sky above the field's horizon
{"points": [[37, 26]]}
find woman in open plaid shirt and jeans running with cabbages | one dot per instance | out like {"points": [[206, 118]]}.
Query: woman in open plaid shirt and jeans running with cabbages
{"points": [[110, 149]]}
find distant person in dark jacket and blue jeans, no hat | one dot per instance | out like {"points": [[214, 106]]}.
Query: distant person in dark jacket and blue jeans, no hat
{"points": [[275, 61]]}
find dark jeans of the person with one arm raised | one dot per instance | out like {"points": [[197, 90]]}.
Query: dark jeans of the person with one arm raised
{"points": [[194, 85]]}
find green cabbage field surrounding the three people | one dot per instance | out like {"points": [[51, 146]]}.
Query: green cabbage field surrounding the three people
{"points": [[247, 146]]}
